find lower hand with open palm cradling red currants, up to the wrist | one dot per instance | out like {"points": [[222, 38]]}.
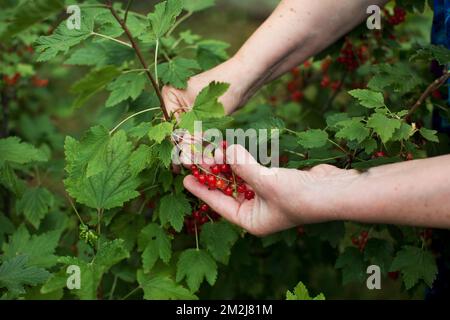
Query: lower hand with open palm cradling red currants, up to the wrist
{"points": [[284, 197]]}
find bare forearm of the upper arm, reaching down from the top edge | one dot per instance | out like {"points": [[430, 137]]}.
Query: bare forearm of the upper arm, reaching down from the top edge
{"points": [[295, 31]]}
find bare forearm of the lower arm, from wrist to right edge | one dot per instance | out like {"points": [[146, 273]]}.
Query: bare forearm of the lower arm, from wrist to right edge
{"points": [[415, 193]]}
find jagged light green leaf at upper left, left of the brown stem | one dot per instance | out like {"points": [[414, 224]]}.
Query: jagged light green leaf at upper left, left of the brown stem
{"points": [[63, 38]]}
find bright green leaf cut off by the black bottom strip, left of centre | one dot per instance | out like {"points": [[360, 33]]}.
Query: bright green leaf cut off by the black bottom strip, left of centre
{"points": [[162, 287]]}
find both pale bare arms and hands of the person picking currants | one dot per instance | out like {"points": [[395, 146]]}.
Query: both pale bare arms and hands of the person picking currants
{"points": [[415, 193]]}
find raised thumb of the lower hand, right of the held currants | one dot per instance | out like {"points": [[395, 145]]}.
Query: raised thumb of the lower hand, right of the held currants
{"points": [[245, 166]]}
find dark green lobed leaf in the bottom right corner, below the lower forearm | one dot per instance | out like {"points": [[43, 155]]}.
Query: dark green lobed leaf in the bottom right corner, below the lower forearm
{"points": [[415, 264]]}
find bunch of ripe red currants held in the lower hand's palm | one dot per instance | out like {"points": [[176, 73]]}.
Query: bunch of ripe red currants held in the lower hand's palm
{"points": [[221, 177]]}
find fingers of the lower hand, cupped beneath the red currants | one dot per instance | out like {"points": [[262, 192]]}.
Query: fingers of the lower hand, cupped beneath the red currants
{"points": [[224, 205]]}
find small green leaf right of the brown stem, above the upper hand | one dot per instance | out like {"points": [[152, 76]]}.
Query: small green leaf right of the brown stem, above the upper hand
{"points": [[177, 71]]}
